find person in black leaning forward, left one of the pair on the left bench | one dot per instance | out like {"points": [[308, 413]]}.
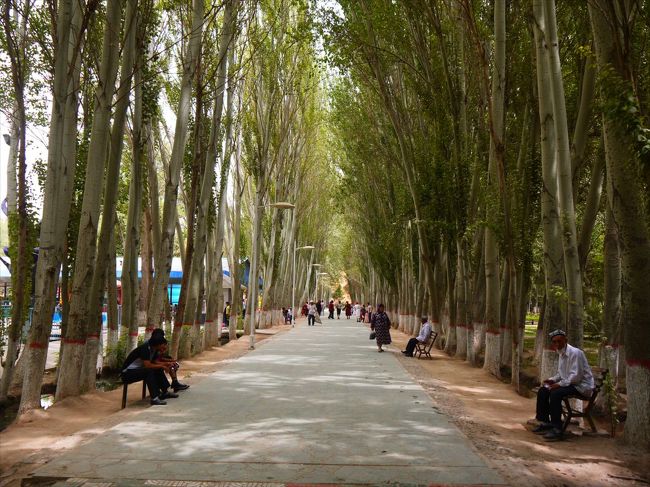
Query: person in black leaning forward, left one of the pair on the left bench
{"points": [[139, 365]]}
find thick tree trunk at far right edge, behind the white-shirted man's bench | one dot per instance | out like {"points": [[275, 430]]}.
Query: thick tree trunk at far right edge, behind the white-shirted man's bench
{"points": [[625, 190]]}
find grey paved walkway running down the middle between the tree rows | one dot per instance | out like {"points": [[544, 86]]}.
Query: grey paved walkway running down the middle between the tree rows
{"points": [[314, 405]]}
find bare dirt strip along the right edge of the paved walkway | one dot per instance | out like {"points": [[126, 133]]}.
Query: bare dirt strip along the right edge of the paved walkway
{"points": [[494, 418]]}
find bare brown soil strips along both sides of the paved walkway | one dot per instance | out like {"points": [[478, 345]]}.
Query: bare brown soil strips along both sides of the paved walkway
{"points": [[486, 410]]}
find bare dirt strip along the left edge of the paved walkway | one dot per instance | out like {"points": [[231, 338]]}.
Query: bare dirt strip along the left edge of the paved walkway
{"points": [[40, 435]]}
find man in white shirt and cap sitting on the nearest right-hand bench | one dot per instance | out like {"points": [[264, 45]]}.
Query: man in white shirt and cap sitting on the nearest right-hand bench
{"points": [[573, 377]]}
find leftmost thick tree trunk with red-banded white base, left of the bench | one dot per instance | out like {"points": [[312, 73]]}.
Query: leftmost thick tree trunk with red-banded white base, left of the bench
{"points": [[57, 196]]}
